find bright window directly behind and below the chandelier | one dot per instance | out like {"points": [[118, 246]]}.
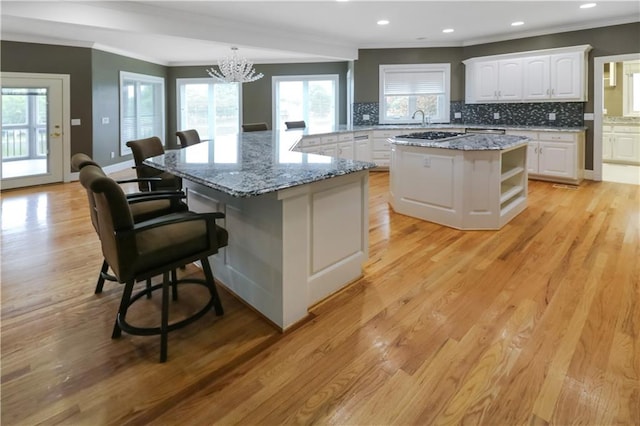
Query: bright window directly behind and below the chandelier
{"points": [[210, 107]]}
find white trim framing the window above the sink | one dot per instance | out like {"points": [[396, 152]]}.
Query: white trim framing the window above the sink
{"points": [[443, 67]]}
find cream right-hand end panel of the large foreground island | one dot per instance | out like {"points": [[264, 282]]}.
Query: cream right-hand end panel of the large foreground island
{"points": [[337, 233]]}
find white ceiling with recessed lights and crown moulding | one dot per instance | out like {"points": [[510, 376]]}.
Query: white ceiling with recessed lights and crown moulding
{"points": [[201, 32]]}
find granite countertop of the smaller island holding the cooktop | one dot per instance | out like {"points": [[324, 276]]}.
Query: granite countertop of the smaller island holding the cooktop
{"points": [[471, 142]]}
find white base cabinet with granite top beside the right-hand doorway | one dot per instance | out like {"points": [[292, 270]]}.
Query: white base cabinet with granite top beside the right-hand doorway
{"points": [[555, 156]]}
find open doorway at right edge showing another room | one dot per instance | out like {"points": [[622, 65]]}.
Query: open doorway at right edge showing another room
{"points": [[616, 139]]}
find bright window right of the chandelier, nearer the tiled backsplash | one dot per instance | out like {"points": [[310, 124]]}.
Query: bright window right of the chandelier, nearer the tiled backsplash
{"points": [[312, 98]]}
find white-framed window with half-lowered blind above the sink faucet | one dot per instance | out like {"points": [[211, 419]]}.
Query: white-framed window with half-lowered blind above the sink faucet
{"points": [[404, 89]]}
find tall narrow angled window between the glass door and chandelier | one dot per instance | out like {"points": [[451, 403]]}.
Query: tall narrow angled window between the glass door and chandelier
{"points": [[141, 108]]}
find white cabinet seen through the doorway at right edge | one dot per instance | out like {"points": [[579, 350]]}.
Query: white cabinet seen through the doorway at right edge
{"points": [[621, 144]]}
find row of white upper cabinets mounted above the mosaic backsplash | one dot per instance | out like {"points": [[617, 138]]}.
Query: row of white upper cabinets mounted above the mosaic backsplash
{"points": [[552, 75]]}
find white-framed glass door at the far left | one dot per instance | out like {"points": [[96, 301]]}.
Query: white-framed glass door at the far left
{"points": [[35, 129]]}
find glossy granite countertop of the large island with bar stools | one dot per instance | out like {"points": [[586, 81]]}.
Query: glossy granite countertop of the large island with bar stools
{"points": [[254, 163]]}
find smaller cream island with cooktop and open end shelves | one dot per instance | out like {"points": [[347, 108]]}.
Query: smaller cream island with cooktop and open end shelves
{"points": [[465, 181]]}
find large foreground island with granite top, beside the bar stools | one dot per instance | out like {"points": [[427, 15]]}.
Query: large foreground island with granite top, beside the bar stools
{"points": [[298, 223]]}
